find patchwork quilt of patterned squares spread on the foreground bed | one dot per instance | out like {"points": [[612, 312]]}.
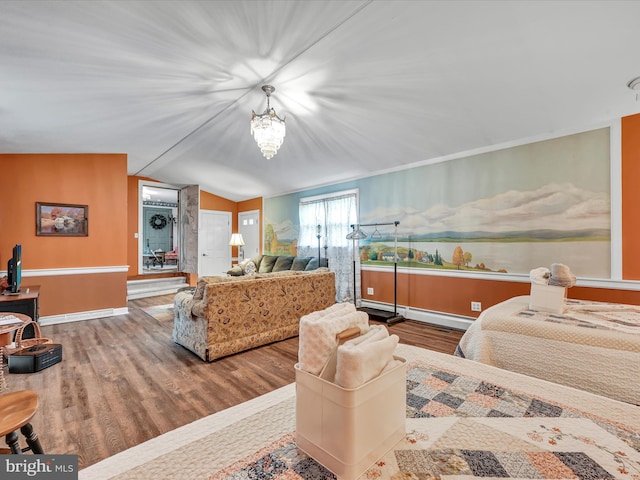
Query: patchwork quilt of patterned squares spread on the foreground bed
{"points": [[463, 426]]}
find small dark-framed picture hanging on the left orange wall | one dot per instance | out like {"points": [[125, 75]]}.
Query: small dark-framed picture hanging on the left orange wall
{"points": [[62, 219]]}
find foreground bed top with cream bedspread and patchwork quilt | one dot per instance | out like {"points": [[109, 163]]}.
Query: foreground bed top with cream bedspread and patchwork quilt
{"points": [[464, 420]]}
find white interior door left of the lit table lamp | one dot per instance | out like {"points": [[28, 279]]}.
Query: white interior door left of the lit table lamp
{"points": [[213, 243]]}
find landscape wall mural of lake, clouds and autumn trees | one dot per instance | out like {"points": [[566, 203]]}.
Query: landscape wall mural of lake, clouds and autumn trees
{"points": [[506, 211]]}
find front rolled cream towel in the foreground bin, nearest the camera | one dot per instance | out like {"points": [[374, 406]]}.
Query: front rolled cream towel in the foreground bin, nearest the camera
{"points": [[366, 357]]}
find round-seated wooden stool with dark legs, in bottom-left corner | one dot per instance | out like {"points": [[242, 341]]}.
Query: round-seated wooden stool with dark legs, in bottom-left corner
{"points": [[16, 410]]}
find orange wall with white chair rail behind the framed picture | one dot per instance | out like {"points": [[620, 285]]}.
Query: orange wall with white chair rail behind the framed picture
{"points": [[96, 180]]}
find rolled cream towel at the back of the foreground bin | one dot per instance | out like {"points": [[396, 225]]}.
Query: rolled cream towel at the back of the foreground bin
{"points": [[318, 330]]}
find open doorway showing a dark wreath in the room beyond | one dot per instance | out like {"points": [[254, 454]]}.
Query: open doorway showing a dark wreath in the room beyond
{"points": [[158, 230]]}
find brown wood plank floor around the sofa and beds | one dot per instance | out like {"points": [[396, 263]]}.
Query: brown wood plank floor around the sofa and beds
{"points": [[123, 381]]}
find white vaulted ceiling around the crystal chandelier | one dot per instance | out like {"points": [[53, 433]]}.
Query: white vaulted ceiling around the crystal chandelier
{"points": [[366, 86]]}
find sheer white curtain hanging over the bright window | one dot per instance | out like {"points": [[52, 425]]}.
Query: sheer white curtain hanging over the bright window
{"points": [[331, 218]]}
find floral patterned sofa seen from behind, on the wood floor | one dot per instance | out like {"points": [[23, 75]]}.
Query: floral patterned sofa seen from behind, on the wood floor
{"points": [[226, 315]]}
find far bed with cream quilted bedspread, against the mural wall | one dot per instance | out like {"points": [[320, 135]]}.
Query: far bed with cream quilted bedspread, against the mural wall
{"points": [[592, 346]]}
